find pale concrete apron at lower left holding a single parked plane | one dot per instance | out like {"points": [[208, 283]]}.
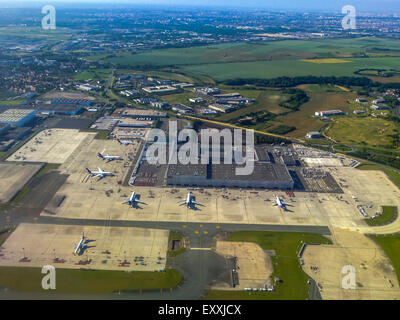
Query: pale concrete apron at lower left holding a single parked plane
{"points": [[108, 248]]}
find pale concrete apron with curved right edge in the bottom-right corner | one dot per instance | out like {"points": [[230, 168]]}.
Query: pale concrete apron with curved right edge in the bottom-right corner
{"points": [[375, 277]]}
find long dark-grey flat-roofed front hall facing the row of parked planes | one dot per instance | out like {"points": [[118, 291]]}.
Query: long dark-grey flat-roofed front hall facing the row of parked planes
{"points": [[265, 175]]}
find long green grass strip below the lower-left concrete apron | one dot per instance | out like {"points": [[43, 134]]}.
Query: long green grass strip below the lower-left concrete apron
{"points": [[81, 281]]}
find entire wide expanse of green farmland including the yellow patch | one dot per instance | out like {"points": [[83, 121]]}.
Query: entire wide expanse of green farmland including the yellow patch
{"points": [[270, 59]]}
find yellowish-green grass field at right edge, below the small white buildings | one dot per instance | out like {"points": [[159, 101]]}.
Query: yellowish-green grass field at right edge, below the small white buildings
{"points": [[370, 131]]}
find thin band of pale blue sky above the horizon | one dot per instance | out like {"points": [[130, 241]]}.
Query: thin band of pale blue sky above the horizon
{"points": [[361, 5]]}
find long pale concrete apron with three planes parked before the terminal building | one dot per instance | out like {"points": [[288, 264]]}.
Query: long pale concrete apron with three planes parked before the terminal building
{"points": [[101, 199]]}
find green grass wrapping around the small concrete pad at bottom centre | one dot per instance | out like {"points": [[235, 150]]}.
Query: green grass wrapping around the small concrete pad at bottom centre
{"points": [[286, 265]]}
